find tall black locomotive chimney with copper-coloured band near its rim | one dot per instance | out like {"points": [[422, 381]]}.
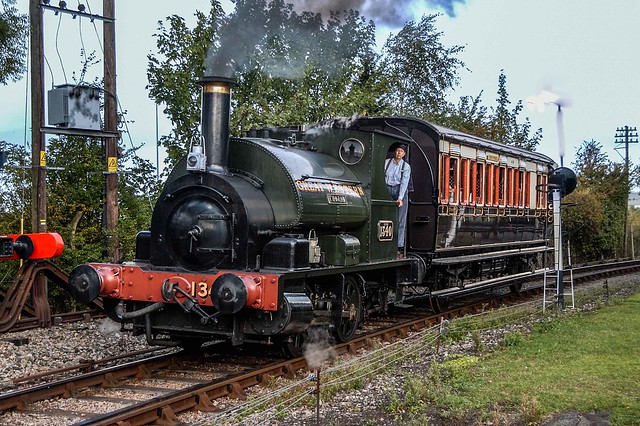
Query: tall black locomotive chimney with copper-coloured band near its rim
{"points": [[216, 105]]}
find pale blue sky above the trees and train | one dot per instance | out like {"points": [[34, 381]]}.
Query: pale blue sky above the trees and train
{"points": [[585, 51]]}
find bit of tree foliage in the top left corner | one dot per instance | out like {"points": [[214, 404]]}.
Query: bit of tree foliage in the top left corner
{"points": [[14, 30]]}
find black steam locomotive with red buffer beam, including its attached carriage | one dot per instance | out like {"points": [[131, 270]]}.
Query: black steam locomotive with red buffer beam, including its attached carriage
{"points": [[262, 238]]}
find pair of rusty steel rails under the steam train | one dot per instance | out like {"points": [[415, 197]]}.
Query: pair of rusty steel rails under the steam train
{"points": [[163, 409]]}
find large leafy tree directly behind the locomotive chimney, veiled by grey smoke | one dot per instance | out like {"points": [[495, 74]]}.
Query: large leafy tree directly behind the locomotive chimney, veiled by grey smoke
{"points": [[290, 68]]}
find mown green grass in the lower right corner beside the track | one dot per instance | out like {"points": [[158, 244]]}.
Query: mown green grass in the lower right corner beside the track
{"points": [[585, 362]]}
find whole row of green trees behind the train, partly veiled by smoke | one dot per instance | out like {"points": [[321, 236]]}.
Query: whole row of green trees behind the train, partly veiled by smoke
{"points": [[294, 68]]}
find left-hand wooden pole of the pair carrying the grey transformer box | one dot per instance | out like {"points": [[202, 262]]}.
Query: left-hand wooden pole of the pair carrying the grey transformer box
{"points": [[38, 143]]}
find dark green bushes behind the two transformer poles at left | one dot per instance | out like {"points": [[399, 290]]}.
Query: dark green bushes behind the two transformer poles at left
{"points": [[75, 186]]}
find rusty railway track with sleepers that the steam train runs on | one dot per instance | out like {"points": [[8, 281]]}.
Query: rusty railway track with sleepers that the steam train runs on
{"points": [[169, 384]]}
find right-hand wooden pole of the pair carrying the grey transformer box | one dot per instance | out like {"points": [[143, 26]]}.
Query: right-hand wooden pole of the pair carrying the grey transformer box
{"points": [[111, 125]]}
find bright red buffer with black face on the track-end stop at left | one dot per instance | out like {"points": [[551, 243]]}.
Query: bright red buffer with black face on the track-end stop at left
{"points": [[44, 245]]}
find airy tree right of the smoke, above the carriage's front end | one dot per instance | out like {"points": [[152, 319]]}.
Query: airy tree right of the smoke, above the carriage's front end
{"points": [[420, 71]]}
